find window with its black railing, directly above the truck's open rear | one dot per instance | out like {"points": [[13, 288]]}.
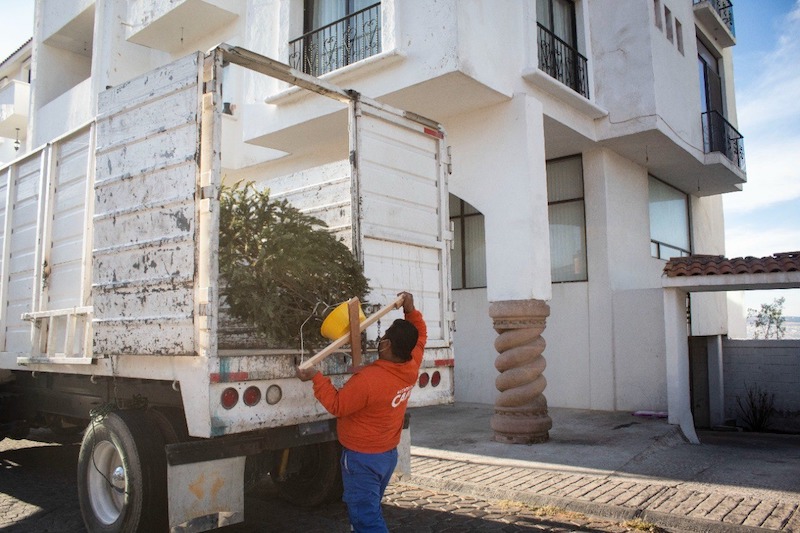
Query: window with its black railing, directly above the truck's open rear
{"points": [[336, 33]]}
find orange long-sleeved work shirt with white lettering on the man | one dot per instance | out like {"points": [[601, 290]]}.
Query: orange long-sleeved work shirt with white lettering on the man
{"points": [[370, 407]]}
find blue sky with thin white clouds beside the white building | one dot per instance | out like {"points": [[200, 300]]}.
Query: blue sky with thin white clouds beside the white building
{"points": [[765, 217]]}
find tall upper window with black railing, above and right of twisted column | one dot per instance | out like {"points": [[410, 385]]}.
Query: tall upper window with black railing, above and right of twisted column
{"points": [[558, 44]]}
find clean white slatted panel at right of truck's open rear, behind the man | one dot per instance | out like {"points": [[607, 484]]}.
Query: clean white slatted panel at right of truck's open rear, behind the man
{"points": [[401, 225]]}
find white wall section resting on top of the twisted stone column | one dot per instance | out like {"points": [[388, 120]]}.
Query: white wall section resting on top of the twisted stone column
{"points": [[506, 182]]}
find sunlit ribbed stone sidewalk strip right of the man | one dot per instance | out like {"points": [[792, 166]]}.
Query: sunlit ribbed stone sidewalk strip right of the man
{"points": [[660, 502]]}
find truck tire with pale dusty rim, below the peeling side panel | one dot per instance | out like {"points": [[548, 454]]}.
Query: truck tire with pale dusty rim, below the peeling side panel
{"points": [[122, 474]]}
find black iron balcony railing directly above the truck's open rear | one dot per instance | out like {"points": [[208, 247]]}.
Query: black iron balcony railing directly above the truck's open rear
{"points": [[345, 41]]}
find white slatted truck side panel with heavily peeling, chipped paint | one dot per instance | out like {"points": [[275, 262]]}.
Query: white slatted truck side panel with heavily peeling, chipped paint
{"points": [[145, 214]]}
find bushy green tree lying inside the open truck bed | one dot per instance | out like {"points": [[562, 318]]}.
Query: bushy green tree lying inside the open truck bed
{"points": [[278, 263]]}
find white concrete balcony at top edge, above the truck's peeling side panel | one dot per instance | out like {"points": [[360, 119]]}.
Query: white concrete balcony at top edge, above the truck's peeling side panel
{"points": [[167, 24]]}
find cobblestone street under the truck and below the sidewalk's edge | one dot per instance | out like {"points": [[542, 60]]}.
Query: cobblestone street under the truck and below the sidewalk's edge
{"points": [[38, 494]]}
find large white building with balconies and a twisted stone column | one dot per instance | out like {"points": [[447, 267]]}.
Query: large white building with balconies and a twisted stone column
{"points": [[591, 140]]}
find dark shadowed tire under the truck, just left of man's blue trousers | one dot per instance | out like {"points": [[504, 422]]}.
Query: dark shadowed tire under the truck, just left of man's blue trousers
{"points": [[313, 474]]}
